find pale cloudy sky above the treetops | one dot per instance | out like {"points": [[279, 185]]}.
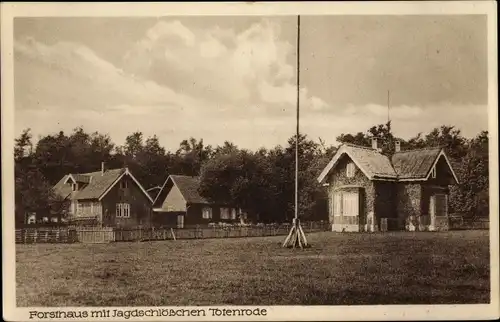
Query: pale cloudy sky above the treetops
{"points": [[234, 77]]}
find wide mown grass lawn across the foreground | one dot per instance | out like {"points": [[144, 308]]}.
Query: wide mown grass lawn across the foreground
{"points": [[339, 269]]}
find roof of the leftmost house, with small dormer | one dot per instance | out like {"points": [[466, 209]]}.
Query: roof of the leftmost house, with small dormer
{"points": [[98, 185]]}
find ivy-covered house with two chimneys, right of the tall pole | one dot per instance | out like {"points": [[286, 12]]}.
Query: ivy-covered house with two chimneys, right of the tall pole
{"points": [[368, 190]]}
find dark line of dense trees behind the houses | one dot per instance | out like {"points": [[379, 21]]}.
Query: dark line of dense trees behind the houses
{"points": [[261, 182]]}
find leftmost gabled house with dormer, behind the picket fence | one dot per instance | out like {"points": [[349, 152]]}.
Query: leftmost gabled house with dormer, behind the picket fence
{"points": [[112, 198]]}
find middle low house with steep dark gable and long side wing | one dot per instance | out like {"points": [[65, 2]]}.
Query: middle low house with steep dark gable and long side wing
{"points": [[179, 204]]}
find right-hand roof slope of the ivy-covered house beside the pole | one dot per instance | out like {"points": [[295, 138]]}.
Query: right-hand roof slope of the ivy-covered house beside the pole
{"points": [[414, 164]]}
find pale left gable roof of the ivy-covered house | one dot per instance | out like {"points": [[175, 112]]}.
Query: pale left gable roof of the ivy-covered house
{"points": [[372, 163]]}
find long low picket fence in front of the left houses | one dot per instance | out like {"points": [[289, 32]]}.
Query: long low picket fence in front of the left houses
{"points": [[109, 234]]}
